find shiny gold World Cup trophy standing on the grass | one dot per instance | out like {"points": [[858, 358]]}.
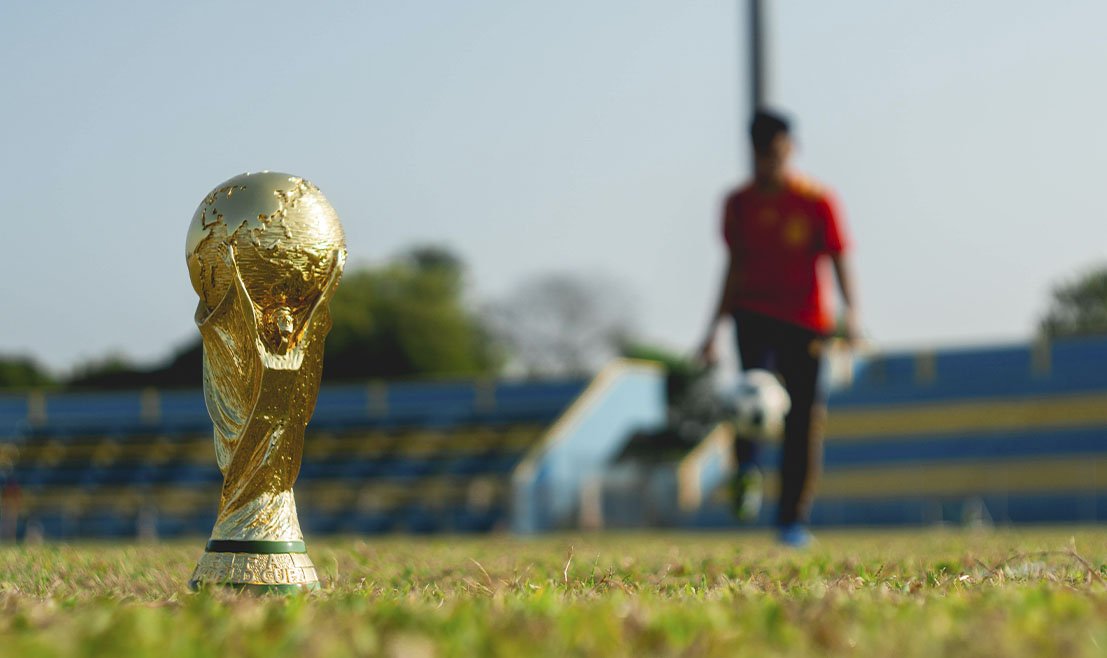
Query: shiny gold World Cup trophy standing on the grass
{"points": [[265, 255]]}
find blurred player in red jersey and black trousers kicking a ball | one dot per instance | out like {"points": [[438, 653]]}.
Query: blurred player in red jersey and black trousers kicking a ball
{"points": [[780, 229]]}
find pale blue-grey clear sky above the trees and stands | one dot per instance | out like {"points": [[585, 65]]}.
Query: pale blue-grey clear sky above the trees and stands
{"points": [[967, 141]]}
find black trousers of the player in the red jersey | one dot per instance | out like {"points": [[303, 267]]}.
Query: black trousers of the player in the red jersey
{"points": [[794, 353]]}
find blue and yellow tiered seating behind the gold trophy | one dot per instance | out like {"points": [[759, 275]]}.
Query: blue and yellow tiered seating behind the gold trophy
{"points": [[402, 458]]}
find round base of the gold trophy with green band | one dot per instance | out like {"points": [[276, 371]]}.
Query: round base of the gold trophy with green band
{"points": [[260, 568]]}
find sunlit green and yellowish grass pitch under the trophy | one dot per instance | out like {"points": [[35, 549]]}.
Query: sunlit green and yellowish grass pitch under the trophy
{"points": [[913, 593]]}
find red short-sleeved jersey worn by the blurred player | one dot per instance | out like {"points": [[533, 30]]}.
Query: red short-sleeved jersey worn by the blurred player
{"points": [[778, 241]]}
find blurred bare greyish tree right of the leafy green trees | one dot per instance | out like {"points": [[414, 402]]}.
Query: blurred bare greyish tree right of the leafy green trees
{"points": [[563, 324]]}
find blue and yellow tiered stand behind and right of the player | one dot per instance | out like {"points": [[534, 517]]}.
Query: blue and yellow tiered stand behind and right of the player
{"points": [[1003, 435]]}
